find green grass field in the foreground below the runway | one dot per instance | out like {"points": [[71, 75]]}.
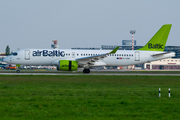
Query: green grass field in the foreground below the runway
{"points": [[89, 97]]}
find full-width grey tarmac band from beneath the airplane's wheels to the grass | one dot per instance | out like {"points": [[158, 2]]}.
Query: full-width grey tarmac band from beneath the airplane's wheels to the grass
{"points": [[93, 72]]}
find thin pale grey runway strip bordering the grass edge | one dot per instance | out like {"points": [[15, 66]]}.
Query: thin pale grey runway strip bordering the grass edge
{"points": [[124, 74]]}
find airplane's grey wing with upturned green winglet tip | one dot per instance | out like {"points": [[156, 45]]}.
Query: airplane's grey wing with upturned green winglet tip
{"points": [[90, 60]]}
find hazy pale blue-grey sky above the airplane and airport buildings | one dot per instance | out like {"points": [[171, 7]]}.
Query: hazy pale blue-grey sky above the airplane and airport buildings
{"points": [[84, 23]]}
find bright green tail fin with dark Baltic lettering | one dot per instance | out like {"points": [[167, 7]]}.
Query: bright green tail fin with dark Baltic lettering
{"points": [[158, 41]]}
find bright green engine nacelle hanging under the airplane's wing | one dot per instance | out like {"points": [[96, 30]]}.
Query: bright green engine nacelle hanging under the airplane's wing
{"points": [[67, 65]]}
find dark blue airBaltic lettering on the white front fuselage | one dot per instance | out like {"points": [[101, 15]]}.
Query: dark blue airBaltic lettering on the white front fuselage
{"points": [[45, 53]]}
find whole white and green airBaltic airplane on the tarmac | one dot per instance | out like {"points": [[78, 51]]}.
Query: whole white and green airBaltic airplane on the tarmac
{"points": [[71, 60]]}
